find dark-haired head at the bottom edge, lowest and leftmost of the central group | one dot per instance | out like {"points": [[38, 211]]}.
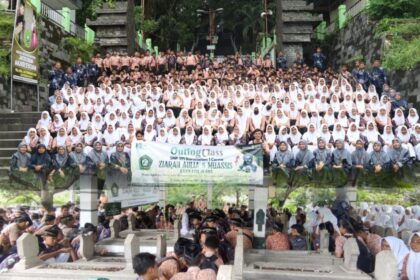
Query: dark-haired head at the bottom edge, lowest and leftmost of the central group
{"points": [[145, 266]]}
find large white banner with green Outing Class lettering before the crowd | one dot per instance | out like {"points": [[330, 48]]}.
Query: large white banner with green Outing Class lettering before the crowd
{"points": [[164, 164]]}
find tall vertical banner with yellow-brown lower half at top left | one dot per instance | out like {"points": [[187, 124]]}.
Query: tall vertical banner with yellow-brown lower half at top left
{"points": [[25, 63]]}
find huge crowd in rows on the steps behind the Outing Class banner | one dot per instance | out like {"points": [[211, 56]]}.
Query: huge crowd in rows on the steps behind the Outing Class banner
{"points": [[304, 116]]}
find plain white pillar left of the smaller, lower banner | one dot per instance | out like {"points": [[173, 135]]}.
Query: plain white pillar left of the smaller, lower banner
{"points": [[88, 199]]}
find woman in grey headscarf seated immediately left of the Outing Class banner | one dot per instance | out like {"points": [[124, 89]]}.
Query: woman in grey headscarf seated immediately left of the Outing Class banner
{"points": [[120, 165]]}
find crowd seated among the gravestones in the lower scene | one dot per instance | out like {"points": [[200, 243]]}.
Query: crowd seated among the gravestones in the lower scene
{"points": [[209, 237]]}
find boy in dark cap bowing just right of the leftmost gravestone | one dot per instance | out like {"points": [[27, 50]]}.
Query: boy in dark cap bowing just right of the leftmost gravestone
{"points": [[55, 252]]}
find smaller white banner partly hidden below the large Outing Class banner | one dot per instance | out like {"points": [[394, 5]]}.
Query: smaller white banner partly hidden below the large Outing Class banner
{"points": [[133, 195]]}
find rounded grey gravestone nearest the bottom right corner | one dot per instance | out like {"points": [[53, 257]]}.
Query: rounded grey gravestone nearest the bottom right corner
{"points": [[386, 266]]}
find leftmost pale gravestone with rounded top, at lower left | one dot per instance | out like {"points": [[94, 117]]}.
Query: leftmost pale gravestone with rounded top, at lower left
{"points": [[27, 247]]}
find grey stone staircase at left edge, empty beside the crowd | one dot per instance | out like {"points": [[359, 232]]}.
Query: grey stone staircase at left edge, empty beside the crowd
{"points": [[13, 127]]}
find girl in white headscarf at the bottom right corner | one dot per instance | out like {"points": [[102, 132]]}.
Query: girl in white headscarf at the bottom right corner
{"points": [[411, 263]]}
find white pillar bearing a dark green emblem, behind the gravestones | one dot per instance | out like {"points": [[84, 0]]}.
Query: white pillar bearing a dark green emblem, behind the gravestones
{"points": [[260, 200]]}
